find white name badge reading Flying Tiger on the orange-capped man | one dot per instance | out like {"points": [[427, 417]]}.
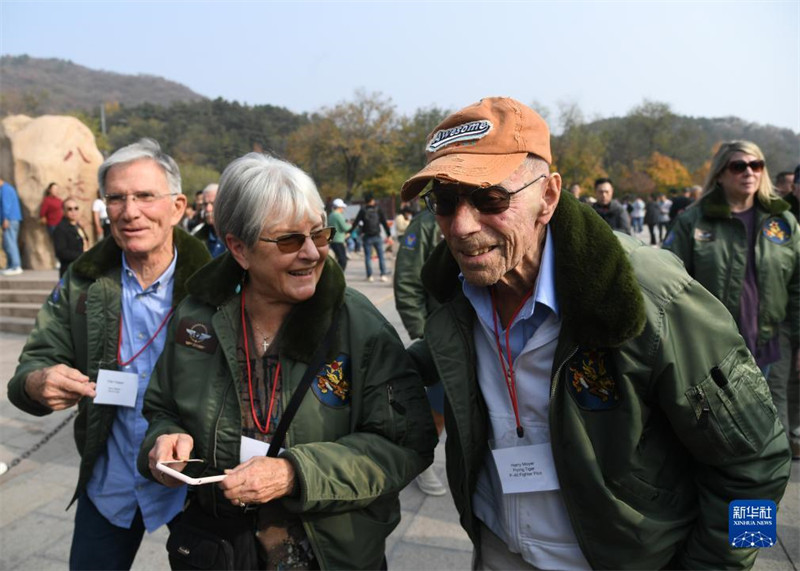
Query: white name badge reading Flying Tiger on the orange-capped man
{"points": [[526, 468]]}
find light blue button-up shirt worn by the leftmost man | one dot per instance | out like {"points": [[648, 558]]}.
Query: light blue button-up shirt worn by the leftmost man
{"points": [[116, 488]]}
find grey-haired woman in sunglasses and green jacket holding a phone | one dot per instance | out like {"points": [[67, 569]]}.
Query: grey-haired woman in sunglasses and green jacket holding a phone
{"points": [[289, 385]]}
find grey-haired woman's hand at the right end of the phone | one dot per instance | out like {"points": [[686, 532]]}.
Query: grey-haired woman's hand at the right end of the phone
{"points": [[258, 481]]}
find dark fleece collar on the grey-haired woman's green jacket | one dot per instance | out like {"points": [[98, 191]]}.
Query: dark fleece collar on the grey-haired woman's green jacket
{"points": [[219, 281]]}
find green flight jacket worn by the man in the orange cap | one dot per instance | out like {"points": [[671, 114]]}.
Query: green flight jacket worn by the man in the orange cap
{"points": [[647, 473]]}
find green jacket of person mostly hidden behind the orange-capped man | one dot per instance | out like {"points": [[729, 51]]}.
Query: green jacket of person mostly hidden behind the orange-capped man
{"points": [[413, 303]]}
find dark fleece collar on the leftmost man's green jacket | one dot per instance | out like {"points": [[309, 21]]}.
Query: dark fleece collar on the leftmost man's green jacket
{"points": [[106, 255]]}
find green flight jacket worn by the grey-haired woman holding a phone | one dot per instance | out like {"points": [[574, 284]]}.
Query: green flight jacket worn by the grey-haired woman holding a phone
{"points": [[351, 458]]}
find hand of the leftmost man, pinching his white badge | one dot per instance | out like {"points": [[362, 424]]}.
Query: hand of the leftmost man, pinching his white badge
{"points": [[58, 387]]}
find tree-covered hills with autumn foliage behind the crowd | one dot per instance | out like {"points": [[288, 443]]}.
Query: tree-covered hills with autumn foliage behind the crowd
{"points": [[364, 144]]}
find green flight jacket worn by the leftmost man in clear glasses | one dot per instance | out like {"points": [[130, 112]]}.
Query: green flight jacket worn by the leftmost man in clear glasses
{"points": [[79, 327]]}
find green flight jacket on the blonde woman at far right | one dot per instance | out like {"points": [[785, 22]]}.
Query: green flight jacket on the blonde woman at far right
{"points": [[713, 246]]}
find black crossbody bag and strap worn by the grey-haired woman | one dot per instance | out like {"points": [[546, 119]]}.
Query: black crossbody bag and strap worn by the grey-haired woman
{"points": [[200, 541]]}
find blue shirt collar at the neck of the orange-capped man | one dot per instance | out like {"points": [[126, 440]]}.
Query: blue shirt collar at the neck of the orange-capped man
{"points": [[533, 313]]}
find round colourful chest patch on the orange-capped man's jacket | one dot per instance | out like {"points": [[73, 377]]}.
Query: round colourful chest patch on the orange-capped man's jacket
{"points": [[590, 381]]}
